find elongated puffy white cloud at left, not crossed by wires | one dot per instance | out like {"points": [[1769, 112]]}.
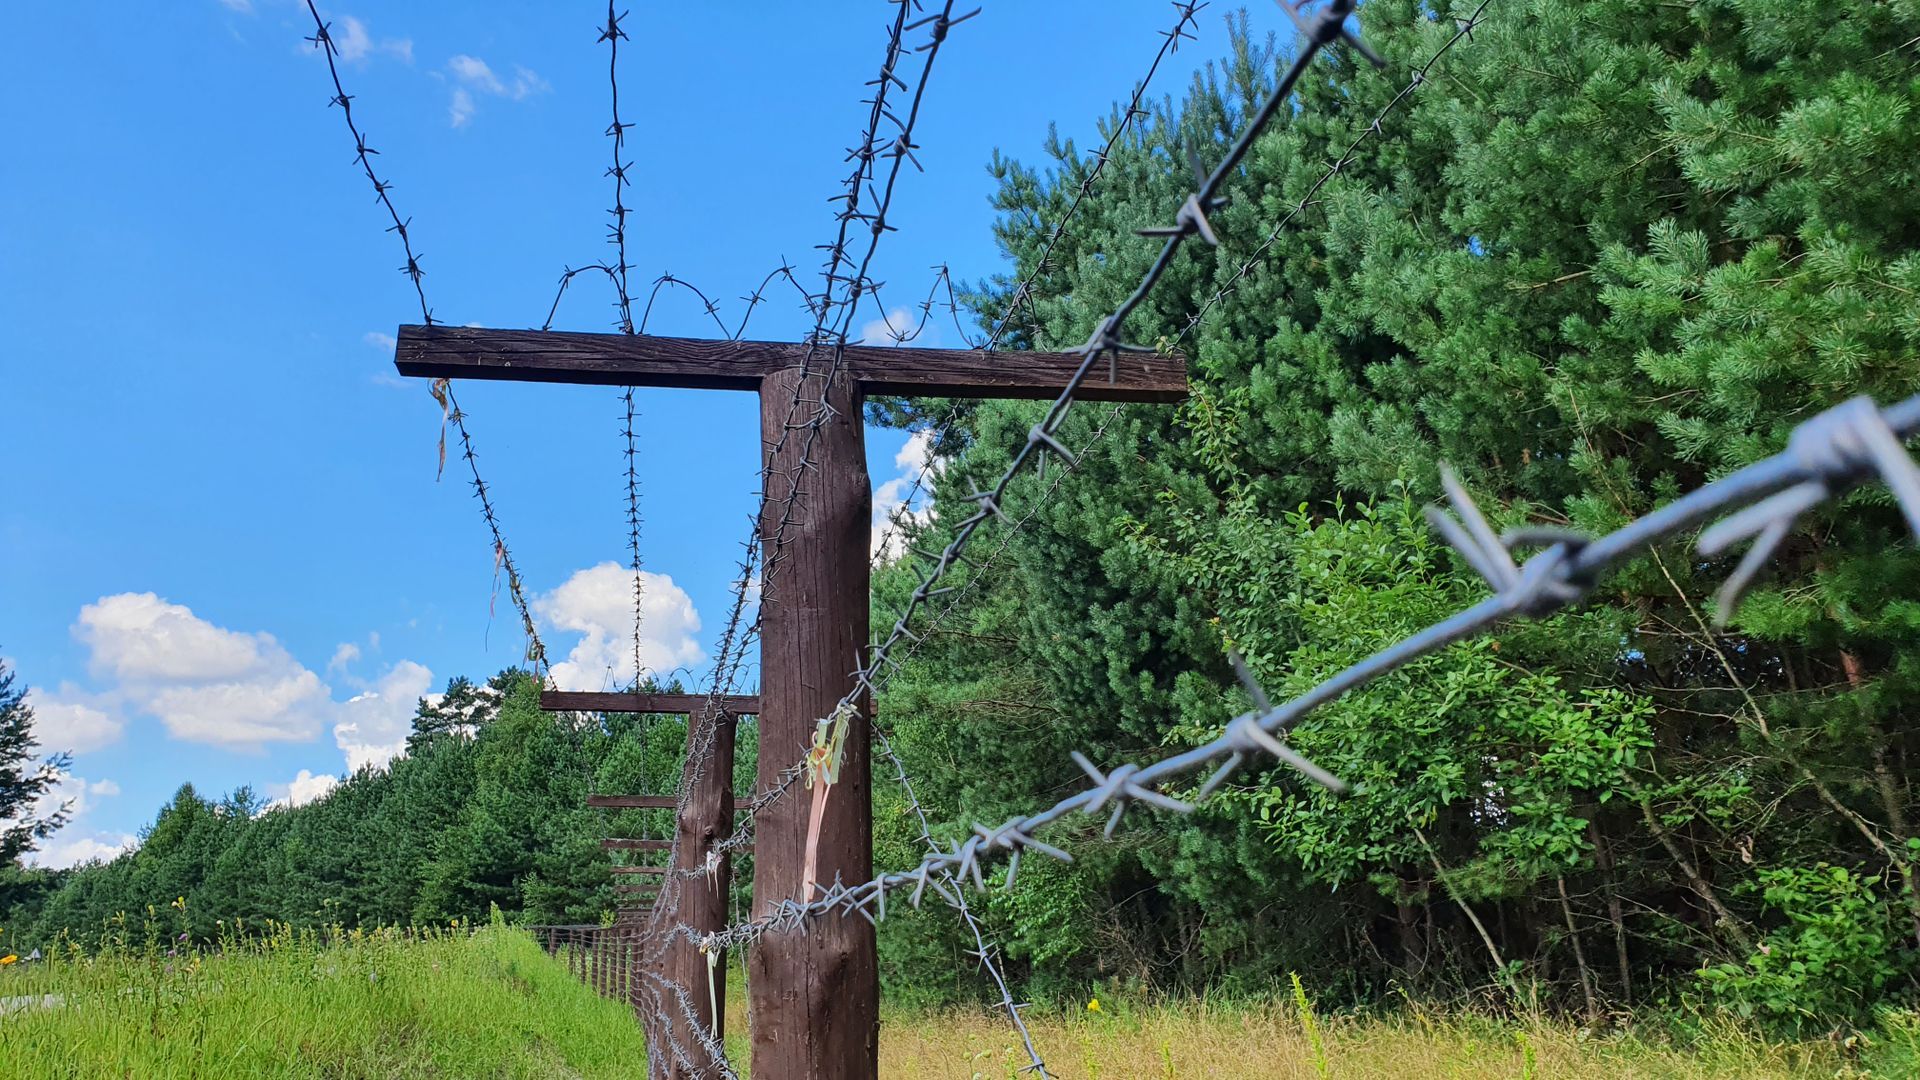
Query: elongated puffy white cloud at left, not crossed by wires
{"points": [[204, 683]]}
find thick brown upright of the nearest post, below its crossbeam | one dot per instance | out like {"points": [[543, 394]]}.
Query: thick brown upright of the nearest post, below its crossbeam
{"points": [[815, 994]]}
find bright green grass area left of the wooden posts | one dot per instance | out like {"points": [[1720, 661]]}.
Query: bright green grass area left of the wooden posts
{"points": [[381, 1004]]}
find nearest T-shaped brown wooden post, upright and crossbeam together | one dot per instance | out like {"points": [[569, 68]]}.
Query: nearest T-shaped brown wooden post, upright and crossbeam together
{"points": [[815, 996]]}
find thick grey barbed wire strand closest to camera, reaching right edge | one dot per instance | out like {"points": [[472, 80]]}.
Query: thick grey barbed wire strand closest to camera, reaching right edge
{"points": [[1827, 456]]}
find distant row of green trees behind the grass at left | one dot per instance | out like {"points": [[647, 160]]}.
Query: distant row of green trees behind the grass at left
{"points": [[487, 808]]}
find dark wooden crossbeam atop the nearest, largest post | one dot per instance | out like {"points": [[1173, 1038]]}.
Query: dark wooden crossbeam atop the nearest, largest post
{"points": [[700, 364]]}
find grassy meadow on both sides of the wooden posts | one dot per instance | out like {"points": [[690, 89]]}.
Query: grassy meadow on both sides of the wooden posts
{"points": [[492, 1004]]}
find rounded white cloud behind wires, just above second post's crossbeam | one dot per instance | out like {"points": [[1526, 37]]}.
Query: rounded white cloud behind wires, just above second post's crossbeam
{"points": [[598, 604]]}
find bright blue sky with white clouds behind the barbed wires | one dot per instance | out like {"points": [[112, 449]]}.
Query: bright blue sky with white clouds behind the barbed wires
{"points": [[224, 554]]}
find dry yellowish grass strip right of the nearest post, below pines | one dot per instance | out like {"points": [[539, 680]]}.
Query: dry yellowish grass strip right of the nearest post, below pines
{"points": [[1274, 1041]]}
